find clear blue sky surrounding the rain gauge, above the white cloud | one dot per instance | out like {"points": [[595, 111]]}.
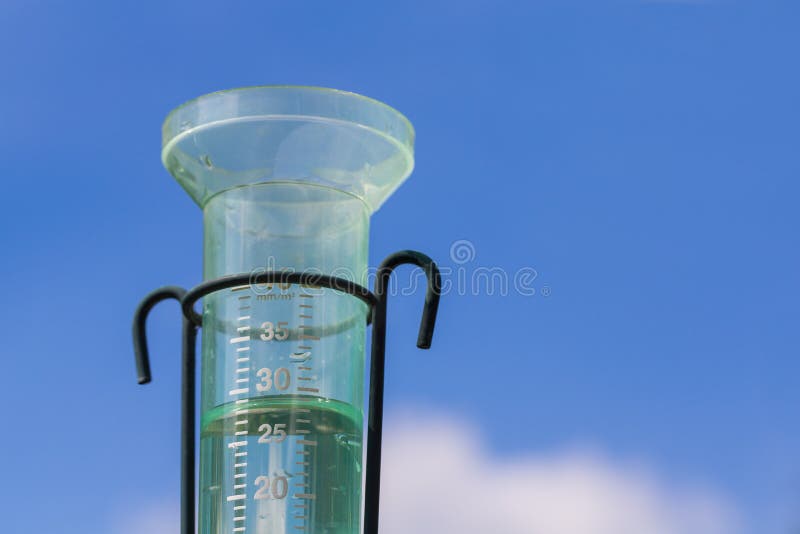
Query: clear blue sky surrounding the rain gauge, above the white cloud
{"points": [[641, 156]]}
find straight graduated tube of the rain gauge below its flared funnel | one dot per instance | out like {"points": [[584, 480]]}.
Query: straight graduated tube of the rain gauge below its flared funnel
{"points": [[282, 388]]}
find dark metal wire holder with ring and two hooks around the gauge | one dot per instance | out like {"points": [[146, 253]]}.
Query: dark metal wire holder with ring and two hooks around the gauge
{"points": [[377, 301]]}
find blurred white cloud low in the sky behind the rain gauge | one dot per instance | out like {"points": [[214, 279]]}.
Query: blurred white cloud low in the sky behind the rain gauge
{"points": [[437, 479]]}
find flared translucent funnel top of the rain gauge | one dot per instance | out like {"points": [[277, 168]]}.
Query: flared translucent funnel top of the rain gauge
{"points": [[288, 134]]}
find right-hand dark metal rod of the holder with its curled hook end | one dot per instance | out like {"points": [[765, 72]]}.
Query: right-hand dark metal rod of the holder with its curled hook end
{"points": [[378, 364]]}
